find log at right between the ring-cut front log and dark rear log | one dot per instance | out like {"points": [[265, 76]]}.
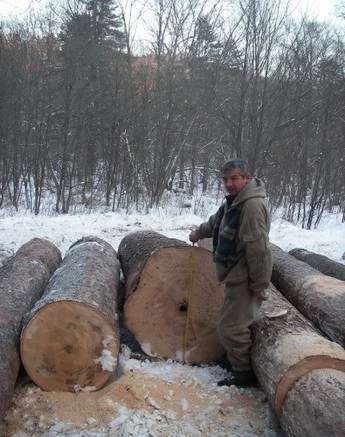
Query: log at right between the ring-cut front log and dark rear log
{"points": [[318, 297]]}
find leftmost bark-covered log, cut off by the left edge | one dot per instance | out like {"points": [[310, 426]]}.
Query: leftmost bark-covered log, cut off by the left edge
{"points": [[22, 281]]}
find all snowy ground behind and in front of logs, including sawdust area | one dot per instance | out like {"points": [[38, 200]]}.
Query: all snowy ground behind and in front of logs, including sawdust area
{"points": [[147, 399]]}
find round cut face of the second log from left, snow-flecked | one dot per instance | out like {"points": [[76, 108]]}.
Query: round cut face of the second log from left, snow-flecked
{"points": [[69, 346]]}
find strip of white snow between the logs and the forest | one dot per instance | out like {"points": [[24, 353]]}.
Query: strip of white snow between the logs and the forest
{"points": [[328, 239]]}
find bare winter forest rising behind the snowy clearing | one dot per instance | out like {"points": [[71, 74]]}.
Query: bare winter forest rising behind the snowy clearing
{"points": [[88, 116]]}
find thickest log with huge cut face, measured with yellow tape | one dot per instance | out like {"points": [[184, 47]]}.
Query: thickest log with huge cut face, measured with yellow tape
{"points": [[173, 298]]}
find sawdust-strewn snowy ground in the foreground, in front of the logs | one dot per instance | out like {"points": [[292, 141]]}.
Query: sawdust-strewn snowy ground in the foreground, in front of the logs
{"points": [[136, 403]]}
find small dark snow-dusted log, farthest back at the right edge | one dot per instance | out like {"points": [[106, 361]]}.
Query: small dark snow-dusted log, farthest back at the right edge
{"points": [[320, 262]]}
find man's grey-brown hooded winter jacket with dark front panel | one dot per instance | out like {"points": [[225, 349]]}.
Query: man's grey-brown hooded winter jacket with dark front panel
{"points": [[246, 238]]}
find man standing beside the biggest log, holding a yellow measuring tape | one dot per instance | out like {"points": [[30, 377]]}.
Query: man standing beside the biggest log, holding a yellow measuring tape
{"points": [[243, 260]]}
